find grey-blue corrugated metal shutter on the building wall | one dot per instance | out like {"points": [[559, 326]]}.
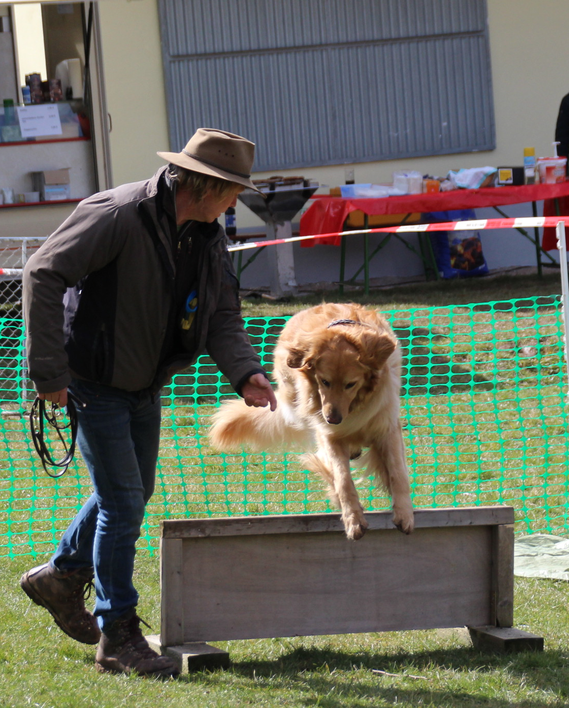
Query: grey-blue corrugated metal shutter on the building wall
{"points": [[318, 82]]}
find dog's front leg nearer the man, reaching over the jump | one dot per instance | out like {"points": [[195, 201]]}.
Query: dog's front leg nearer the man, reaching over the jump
{"points": [[336, 458]]}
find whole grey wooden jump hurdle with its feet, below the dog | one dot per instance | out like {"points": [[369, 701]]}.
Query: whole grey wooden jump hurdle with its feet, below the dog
{"points": [[283, 576]]}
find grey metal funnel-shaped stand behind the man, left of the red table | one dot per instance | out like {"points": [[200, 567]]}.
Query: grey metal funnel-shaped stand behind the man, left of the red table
{"points": [[284, 199]]}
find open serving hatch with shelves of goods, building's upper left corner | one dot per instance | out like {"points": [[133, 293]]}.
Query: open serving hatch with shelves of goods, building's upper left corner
{"points": [[54, 45]]}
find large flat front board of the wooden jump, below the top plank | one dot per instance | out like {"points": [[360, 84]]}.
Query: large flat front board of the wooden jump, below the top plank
{"points": [[305, 584]]}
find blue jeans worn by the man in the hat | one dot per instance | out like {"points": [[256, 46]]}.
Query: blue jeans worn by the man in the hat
{"points": [[118, 436]]}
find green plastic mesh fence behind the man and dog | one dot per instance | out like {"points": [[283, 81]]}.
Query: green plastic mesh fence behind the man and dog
{"points": [[485, 422]]}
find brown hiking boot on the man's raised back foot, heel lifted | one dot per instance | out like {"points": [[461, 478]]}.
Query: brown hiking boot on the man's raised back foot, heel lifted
{"points": [[63, 594]]}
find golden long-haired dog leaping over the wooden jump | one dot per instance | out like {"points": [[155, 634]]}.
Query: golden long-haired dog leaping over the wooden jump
{"points": [[338, 371]]}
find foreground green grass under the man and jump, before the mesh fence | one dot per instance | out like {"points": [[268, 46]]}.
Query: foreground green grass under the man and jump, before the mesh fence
{"points": [[40, 666]]}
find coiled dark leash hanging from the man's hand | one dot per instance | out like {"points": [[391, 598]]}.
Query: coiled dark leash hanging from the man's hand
{"points": [[40, 416]]}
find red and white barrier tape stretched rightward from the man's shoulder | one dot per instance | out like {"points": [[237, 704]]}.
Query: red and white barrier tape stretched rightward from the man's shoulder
{"points": [[473, 225]]}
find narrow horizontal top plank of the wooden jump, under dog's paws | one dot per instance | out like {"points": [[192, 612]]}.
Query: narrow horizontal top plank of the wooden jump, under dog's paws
{"points": [[322, 523]]}
